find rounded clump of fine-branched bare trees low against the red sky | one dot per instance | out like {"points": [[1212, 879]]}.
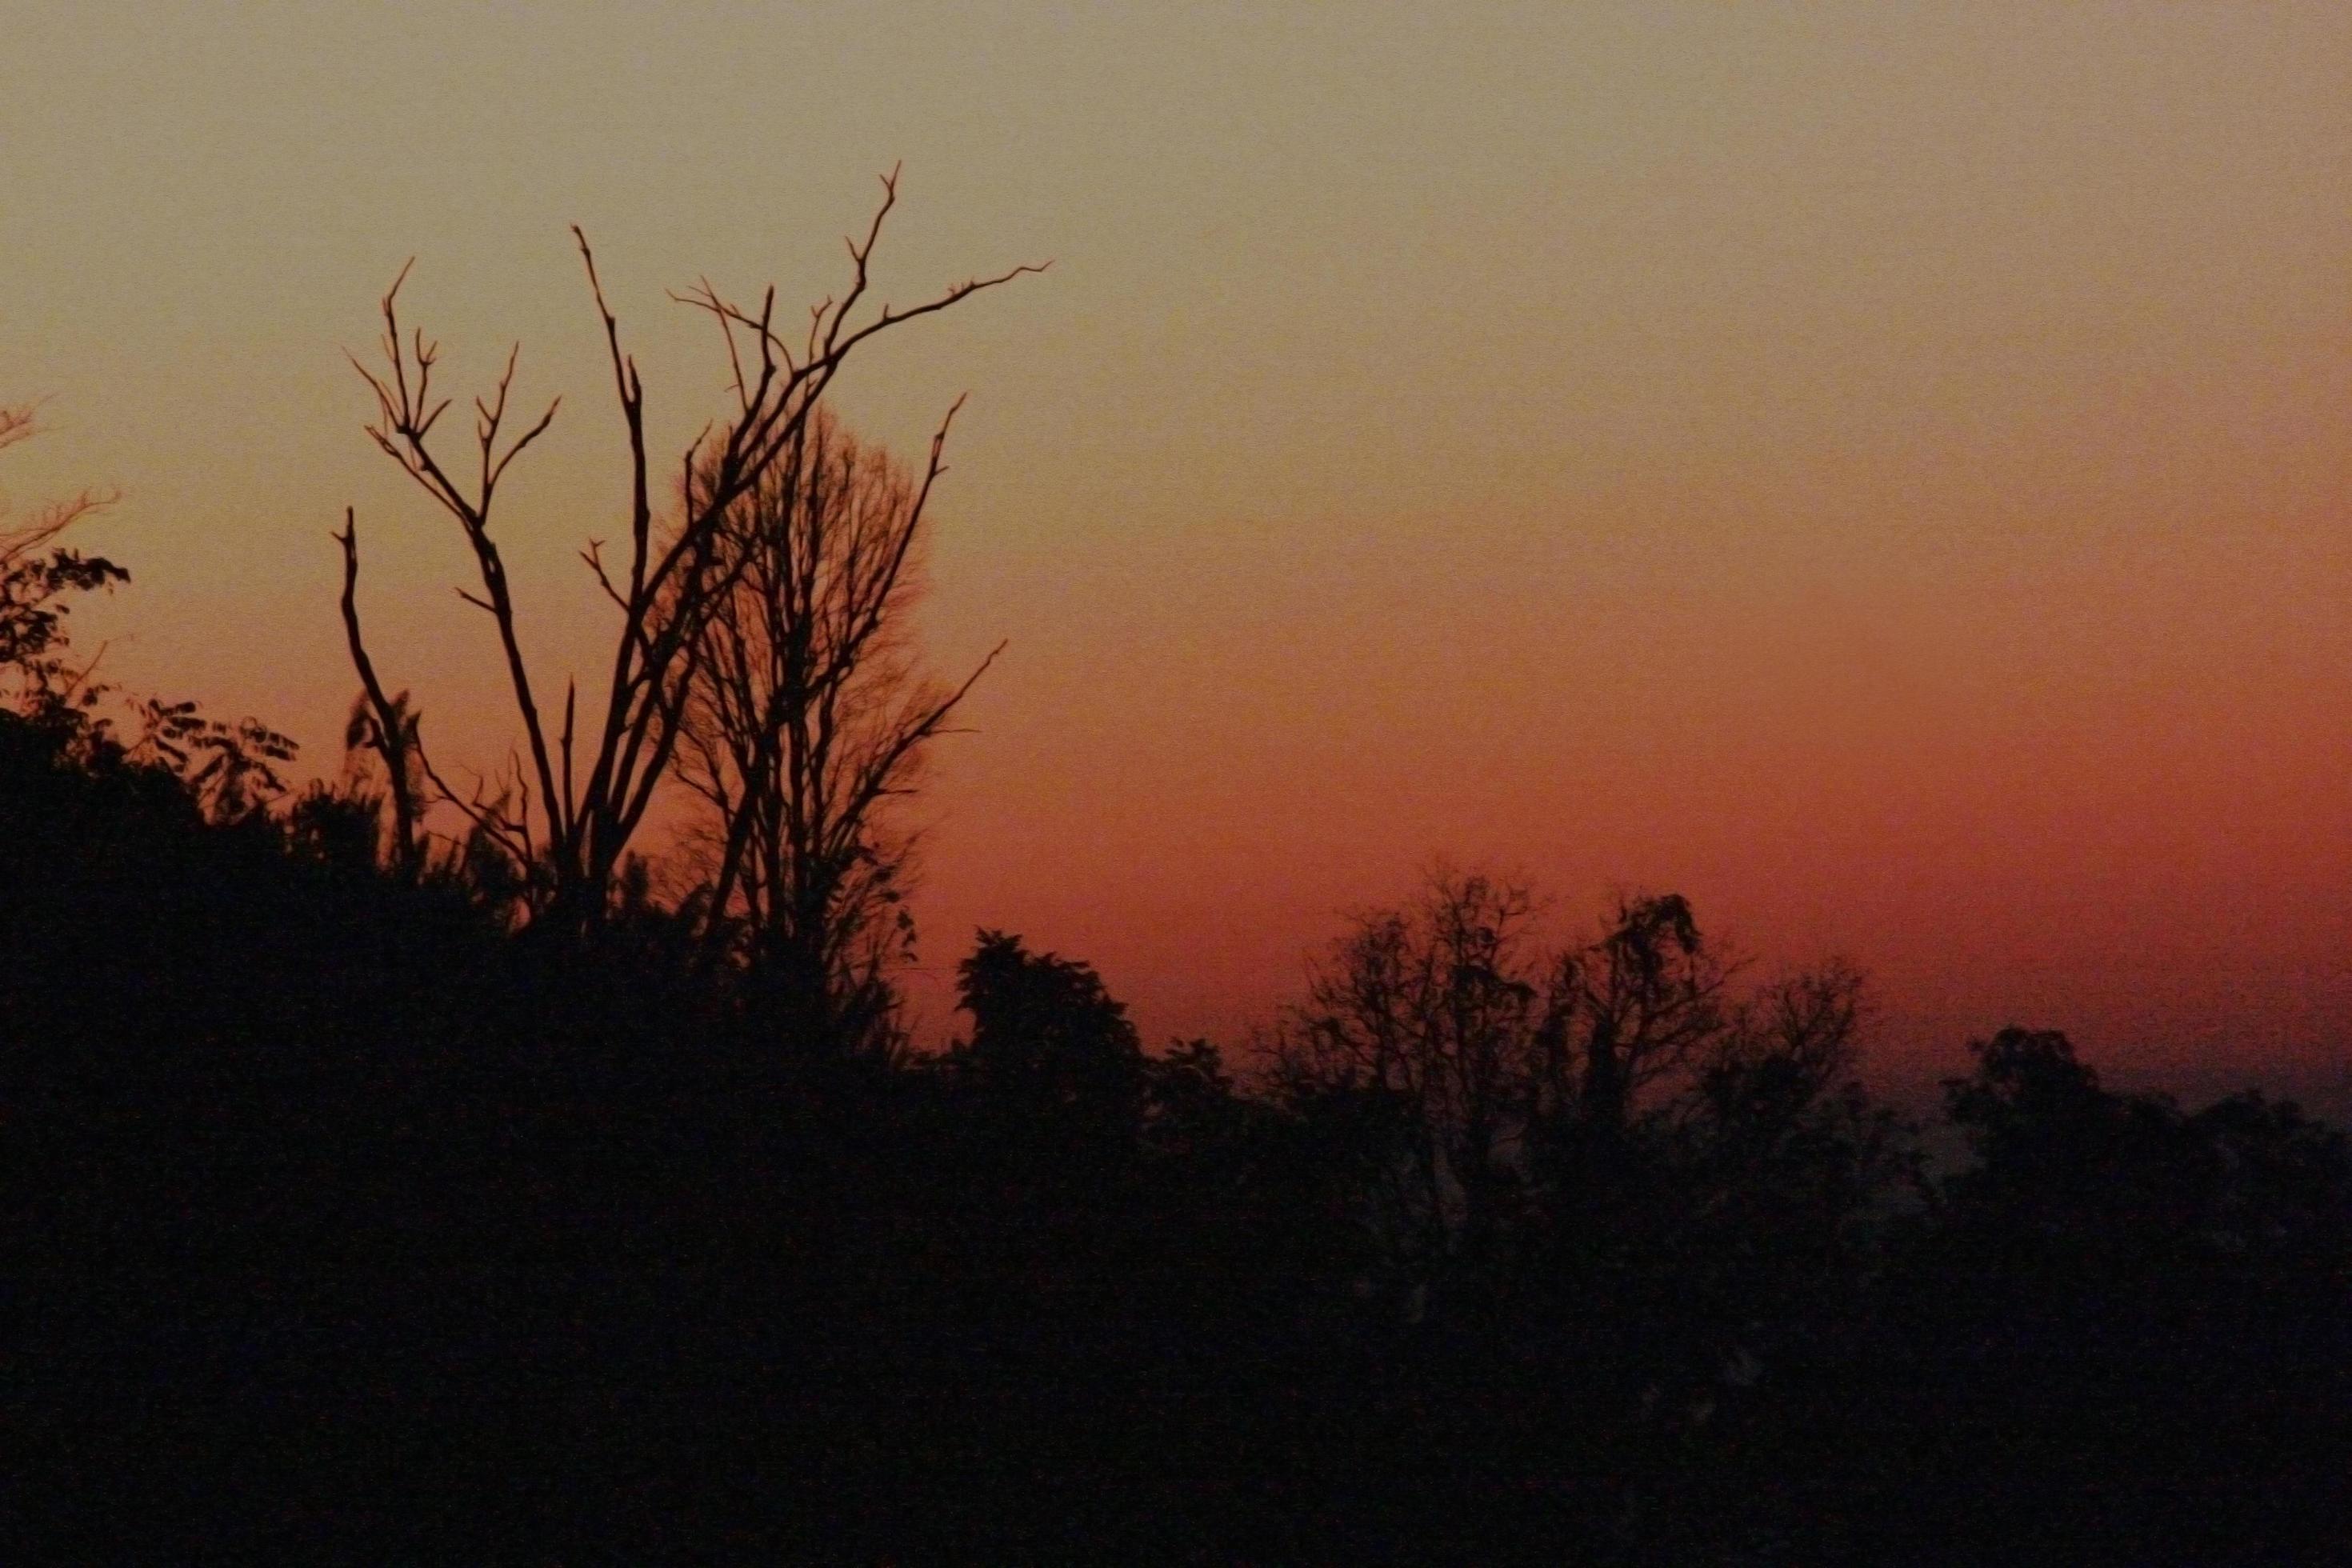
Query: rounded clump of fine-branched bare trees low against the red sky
{"points": [[1490, 1071]]}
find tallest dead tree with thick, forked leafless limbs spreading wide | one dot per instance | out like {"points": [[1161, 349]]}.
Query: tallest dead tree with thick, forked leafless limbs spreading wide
{"points": [[592, 800]]}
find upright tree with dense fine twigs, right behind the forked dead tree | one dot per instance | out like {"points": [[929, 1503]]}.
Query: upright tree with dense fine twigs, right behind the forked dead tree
{"points": [[806, 718]]}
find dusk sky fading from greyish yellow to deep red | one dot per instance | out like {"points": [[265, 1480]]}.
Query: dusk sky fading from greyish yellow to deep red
{"points": [[1878, 469]]}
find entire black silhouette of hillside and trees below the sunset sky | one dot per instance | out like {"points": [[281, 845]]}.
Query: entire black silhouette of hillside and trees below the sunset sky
{"points": [[488, 1193]]}
